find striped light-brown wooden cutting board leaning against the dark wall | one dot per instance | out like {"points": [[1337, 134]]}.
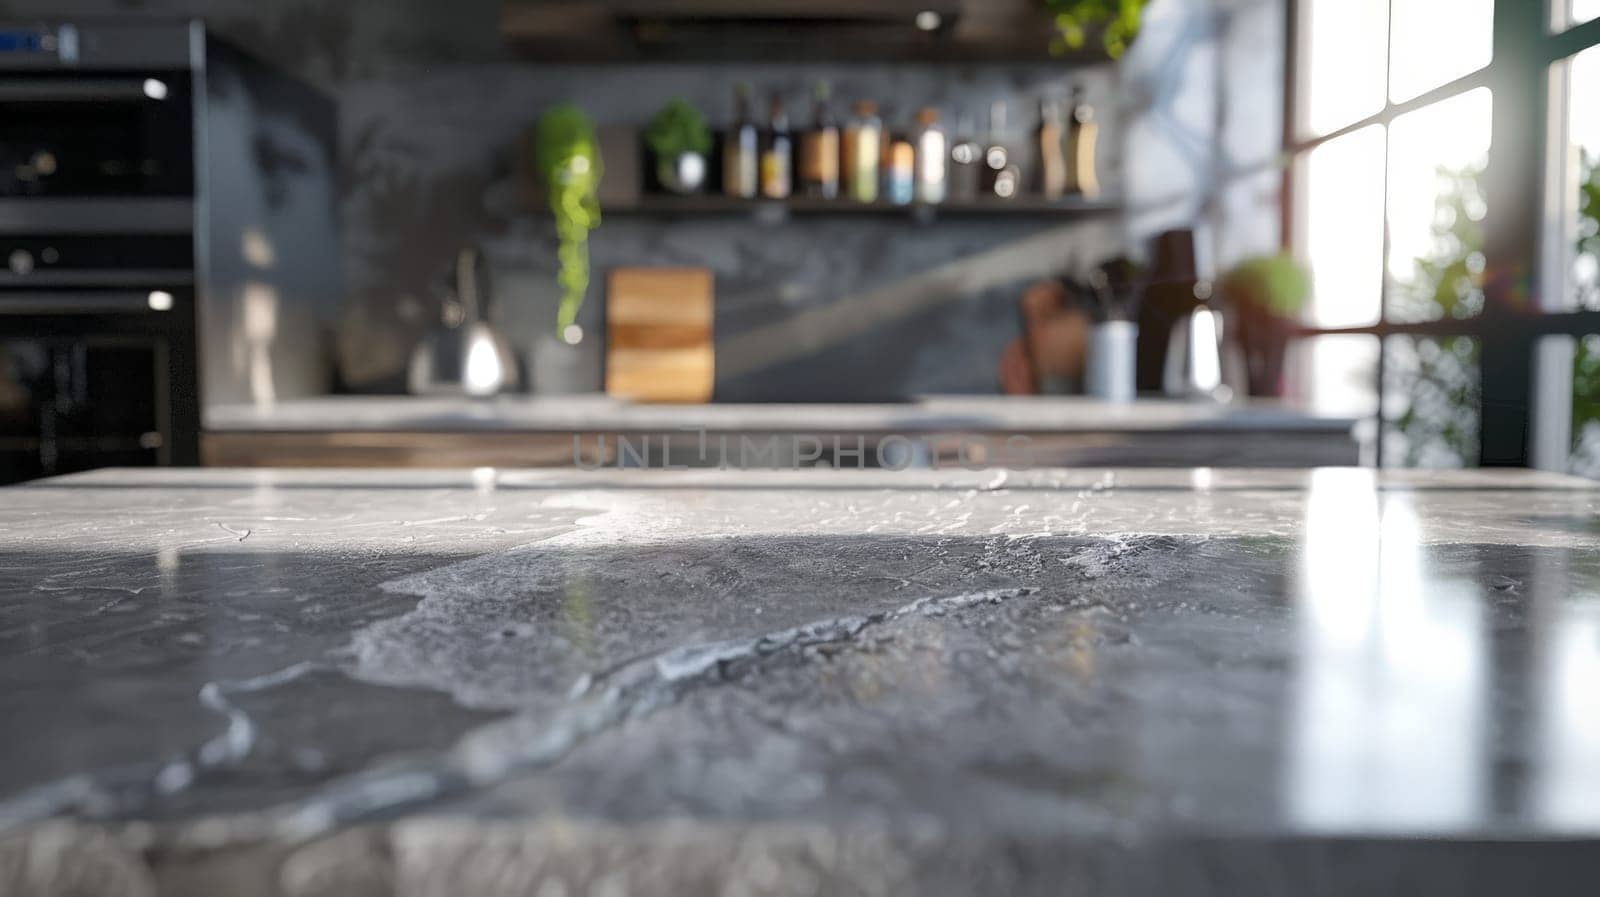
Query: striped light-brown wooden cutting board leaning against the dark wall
{"points": [[660, 335]]}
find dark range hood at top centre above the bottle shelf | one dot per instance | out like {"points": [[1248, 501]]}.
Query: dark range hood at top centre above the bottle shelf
{"points": [[778, 30]]}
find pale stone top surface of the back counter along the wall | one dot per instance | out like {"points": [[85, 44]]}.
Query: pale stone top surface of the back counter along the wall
{"points": [[991, 413]]}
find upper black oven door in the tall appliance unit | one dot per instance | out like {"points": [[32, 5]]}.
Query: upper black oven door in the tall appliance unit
{"points": [[97, 135]]}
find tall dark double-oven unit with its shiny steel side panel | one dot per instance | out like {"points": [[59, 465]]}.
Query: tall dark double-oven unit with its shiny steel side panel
{"points": [[169, 236]]}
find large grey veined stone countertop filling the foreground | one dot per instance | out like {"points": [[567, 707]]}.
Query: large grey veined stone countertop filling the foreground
{"points": [[636, 682]]}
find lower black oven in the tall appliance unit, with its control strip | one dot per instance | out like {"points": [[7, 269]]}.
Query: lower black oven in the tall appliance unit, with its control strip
{"points": [[95, 333]]}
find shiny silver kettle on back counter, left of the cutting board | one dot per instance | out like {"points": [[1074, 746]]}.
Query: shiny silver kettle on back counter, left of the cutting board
{"points": [[463, 357]]}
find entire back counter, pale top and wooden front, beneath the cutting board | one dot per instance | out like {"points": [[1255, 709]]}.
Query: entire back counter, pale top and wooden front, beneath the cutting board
{"points": [[366, 431]]}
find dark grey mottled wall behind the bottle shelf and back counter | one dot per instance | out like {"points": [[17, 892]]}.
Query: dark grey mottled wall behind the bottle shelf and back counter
{"points": [[814, 308]]}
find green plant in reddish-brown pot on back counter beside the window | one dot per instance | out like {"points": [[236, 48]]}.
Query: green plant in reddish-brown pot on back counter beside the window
{"points": [[1266, 297]]}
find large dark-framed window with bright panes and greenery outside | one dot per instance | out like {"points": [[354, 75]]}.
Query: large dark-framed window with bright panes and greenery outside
{"points": [[1439, 308]]}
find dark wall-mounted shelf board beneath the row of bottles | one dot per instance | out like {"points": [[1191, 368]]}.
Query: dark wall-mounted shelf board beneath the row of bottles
{"points": [[777, 210]]}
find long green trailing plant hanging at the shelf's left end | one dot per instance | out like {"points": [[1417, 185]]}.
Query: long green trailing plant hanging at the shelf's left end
{"points": [[567, 159]]}
